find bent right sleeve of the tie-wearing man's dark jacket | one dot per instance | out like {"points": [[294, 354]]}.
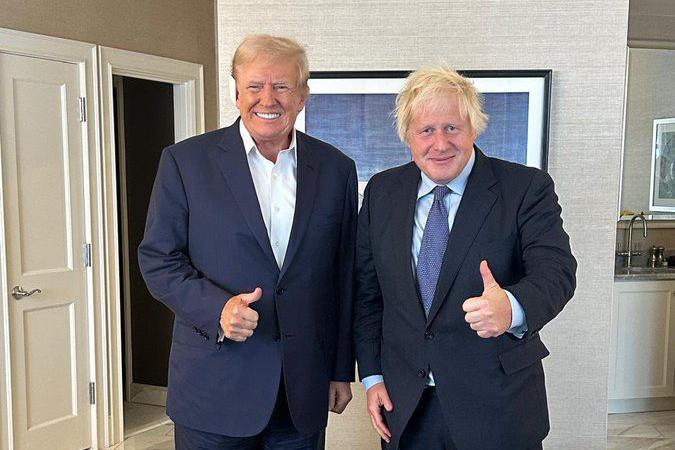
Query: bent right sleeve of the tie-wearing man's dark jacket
{"points": [[548, 264]]}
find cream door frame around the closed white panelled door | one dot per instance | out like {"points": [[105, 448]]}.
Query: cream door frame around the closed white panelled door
{"points": [[84, 55]]}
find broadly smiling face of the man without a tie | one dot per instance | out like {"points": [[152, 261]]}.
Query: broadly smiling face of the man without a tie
{"points": [[269, 101]]}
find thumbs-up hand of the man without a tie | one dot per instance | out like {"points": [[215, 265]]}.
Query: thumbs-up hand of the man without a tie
{"points": [[238, 319]]}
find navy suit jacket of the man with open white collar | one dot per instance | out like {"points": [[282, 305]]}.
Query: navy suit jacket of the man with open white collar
{"points": [[205, 241]]}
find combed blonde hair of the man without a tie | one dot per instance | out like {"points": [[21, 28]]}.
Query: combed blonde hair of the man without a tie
{"points": [[278, 49]]}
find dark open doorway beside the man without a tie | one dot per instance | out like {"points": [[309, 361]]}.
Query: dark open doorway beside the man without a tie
{"points": [[144, 125]]}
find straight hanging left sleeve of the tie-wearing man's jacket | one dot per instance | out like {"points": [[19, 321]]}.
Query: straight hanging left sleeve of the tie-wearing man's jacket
{"points": [[368, 305]]}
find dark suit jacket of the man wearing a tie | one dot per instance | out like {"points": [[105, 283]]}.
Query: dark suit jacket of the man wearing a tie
{"points": [[492, 389]]}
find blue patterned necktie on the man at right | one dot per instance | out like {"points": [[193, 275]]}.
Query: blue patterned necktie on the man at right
{"points": [[432, 249]]}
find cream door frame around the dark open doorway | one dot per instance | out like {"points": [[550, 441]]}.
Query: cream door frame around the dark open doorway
{"points": [[188, 81]]}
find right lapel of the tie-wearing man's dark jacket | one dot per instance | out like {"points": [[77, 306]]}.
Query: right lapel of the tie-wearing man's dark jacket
{"points": [[476, 203]]}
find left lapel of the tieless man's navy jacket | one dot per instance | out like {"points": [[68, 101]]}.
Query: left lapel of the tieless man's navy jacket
{"points": [[231, 159]]}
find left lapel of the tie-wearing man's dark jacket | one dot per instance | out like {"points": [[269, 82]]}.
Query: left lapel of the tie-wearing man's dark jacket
{"points": [[403, 203]]}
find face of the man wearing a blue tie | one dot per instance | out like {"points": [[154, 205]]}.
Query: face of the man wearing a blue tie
{"points": [[440, 140]]}
